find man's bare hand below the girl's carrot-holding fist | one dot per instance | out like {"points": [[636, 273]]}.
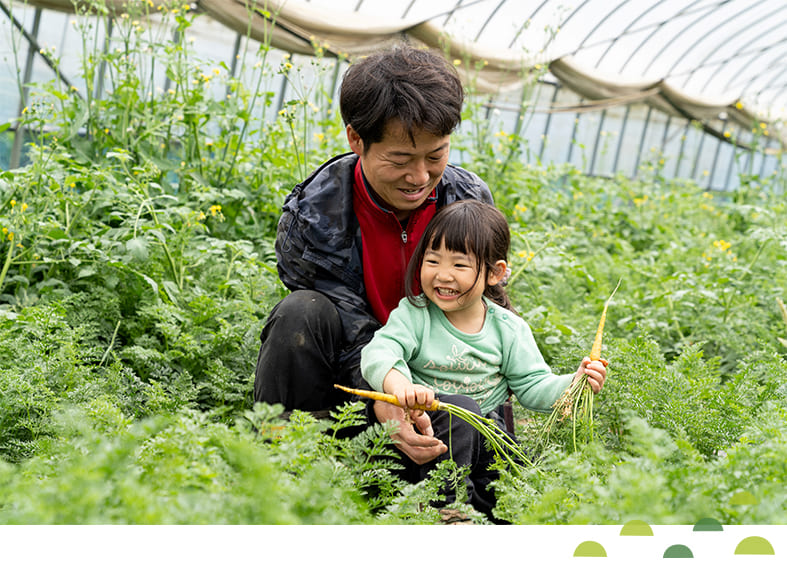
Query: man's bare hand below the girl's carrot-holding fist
{"points": [[420, 448]]}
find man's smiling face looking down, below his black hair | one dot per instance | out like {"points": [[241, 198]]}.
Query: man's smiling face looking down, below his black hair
{"points": [[402, 174]]}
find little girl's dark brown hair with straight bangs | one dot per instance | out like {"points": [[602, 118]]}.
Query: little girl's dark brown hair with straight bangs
{"points": [[468, 227]]}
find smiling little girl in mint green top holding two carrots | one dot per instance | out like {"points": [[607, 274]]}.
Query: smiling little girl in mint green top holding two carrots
{"points": [[456, 335]]}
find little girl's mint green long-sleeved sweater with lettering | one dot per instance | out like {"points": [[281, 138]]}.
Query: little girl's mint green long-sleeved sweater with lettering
{"points": [[421, 343]]}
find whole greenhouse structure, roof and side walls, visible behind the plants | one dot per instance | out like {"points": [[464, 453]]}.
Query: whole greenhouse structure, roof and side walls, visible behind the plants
{"points": [[695, 87]]}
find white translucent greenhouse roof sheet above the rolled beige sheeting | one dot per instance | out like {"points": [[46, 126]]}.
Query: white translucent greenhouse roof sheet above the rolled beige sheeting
{"points": [[712, 49]]}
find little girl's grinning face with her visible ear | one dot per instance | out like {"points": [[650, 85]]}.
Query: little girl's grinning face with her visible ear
{"points": [[452, 281]]}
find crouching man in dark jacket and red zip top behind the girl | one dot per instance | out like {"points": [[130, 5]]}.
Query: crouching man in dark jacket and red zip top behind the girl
{"points": [[347, 232]]}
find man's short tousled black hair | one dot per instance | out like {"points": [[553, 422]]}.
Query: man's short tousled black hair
{"points": [[416, 87]]}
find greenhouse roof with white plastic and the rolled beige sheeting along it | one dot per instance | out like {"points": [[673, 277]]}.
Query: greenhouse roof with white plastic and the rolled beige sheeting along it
{"points": [[697, 59]]}
